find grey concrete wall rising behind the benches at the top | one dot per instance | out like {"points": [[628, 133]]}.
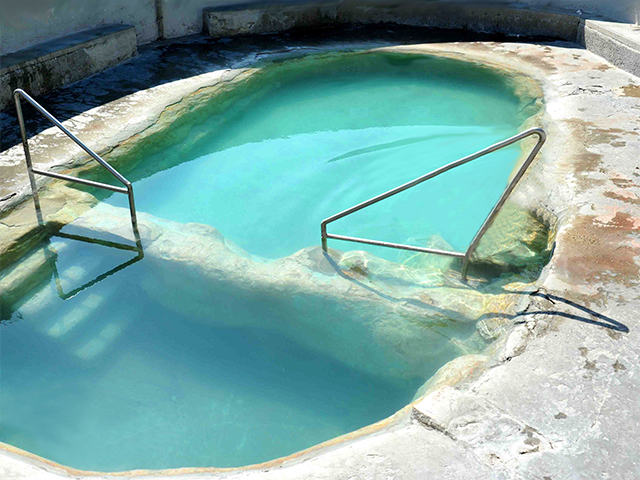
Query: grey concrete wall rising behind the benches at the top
{"points": [[24, 23]]}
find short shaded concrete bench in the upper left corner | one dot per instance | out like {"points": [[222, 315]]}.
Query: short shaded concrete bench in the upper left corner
{"points": [[66, 60]]}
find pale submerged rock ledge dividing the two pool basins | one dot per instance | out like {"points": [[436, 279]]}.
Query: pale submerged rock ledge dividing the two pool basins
{"points": [[405, 316]]}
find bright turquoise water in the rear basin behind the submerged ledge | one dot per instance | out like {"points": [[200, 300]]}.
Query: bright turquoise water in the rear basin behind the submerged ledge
{"points": [[309, 138]]}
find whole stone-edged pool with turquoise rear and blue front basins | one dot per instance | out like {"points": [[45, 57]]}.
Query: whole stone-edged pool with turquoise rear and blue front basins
{"points": [[201, 355]]}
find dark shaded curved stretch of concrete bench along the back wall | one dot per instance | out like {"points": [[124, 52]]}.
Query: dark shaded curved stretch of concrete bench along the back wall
{"points": [[262, 18]]}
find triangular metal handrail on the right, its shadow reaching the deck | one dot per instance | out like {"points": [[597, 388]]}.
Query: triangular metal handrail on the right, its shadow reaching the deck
{"points": [[466, 257]]}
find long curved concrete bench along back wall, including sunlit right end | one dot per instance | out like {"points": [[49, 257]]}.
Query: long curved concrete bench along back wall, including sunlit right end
{"points": [[619, 43]]}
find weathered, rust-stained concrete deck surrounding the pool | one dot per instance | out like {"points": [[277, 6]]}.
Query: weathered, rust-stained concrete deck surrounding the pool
{"points": [[558, 396]]}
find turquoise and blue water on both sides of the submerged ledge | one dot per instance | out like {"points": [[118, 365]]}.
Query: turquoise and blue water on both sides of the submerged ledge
{"points": [[110, 380]]}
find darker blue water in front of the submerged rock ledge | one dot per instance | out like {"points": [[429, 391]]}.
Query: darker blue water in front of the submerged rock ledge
{"points": [[110, 380]]}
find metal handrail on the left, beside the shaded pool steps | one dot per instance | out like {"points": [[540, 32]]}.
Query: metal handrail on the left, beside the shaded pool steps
{"points": [[128, 188]]}
